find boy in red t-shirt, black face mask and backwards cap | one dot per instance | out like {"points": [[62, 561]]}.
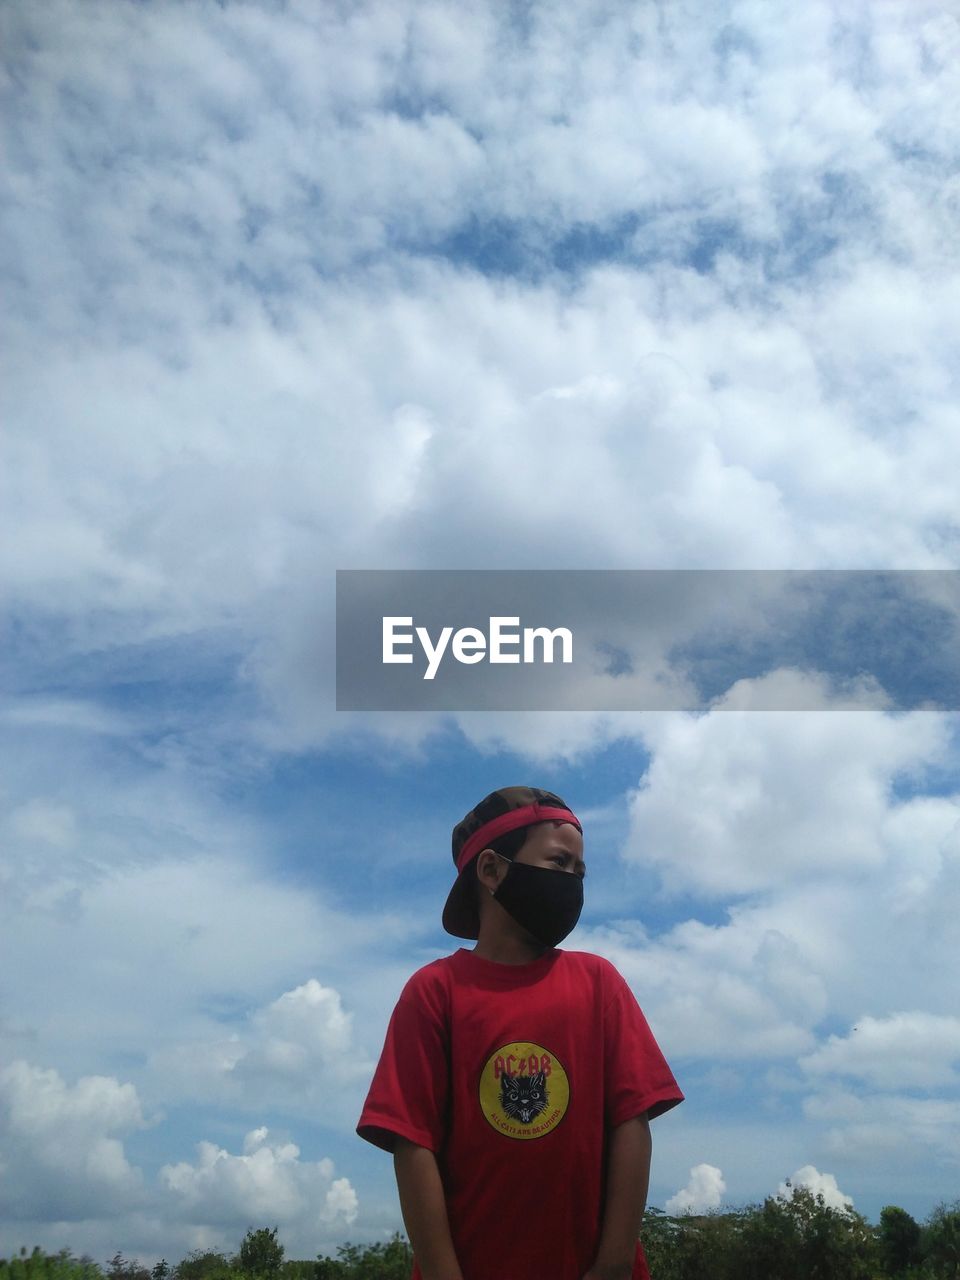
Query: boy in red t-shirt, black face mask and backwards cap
{"points": [[518, 1082]]}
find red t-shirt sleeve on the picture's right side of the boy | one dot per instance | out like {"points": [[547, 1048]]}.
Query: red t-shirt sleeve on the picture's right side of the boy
{"points": [[638, 1080]]}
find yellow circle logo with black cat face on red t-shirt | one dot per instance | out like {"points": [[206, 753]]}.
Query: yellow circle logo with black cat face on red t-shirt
{"points": [[524, 1091]]}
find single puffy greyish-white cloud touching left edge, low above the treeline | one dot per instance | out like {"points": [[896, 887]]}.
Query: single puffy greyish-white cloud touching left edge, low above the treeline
{"points": [[62, 1145]]}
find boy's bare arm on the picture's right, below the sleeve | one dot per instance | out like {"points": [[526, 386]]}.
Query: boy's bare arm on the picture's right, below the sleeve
{"points": [[628, 1180]]}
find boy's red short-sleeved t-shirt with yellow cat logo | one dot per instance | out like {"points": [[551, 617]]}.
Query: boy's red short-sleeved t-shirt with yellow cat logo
{"points": [[514, 1076]]}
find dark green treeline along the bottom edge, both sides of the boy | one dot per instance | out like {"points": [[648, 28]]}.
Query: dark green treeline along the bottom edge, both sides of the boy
{"points": [[798, 1240]]}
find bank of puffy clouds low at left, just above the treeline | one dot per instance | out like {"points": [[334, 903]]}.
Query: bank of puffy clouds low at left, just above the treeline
{"points": [[63, 1160]]}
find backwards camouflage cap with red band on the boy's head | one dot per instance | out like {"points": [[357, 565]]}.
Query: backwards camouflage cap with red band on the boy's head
{"points": [[502, 822]]}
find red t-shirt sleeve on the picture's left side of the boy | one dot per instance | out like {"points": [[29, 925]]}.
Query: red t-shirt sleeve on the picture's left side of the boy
{"points": [[409, 1094]]}
